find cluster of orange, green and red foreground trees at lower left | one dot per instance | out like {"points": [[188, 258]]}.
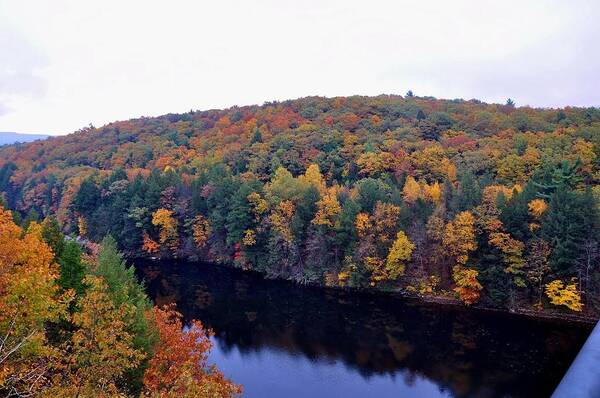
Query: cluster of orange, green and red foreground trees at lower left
{"points": [[68, 333]]}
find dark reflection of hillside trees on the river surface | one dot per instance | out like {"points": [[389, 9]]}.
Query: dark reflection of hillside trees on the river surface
{"points": [[468, 352]]}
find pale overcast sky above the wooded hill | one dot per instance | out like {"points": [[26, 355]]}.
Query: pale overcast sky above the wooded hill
{"points": [[66, 63]]}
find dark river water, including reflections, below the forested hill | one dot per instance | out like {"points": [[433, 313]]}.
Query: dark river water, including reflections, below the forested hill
{"points": [[282, 340]]}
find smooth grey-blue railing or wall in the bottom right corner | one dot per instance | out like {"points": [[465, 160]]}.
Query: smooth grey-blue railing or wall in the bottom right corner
{"points": [[582, 380]]}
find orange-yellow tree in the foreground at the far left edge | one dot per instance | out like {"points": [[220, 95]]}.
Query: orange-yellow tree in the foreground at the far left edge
{"points": [[29, 299]]}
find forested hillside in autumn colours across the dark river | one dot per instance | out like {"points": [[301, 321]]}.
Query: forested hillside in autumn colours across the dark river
{"points": [[491, 204]]}
